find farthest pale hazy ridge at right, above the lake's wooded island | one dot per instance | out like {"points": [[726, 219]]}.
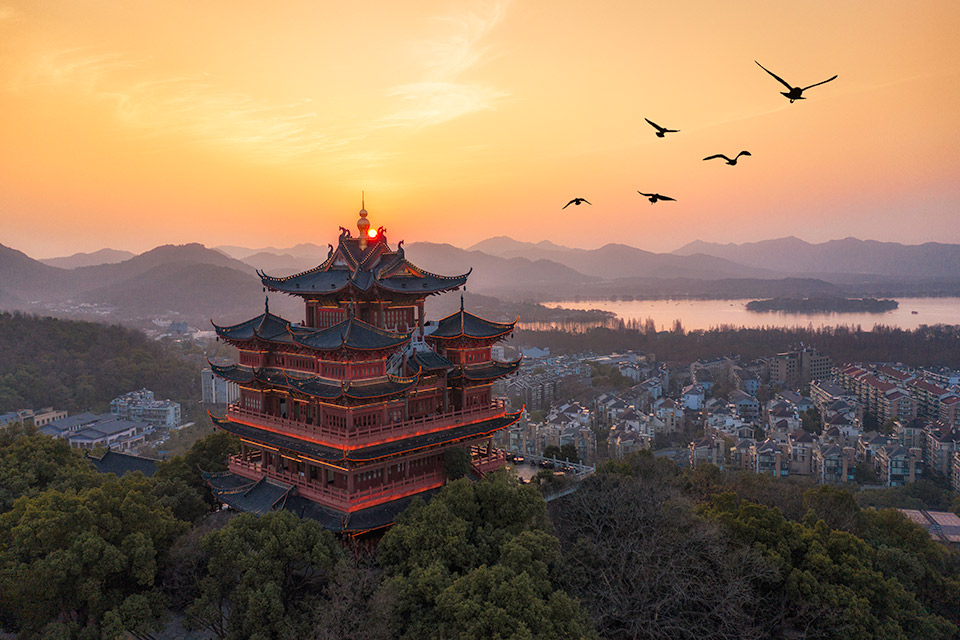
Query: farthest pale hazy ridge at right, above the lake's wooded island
{"points": [[846, 256]]}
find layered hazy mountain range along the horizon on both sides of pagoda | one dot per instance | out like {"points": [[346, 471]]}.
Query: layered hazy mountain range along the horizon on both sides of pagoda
{"points": [[196, 283]]}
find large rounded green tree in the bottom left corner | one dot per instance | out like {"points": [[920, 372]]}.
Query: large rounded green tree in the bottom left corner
{"points": [[77, 563]]}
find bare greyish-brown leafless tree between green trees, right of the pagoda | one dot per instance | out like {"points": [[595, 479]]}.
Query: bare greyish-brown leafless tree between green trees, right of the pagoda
{"points": [[646, 566]]}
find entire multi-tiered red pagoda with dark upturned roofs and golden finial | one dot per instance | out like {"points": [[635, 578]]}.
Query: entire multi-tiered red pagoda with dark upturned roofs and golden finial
{"points": [[350, 414]]}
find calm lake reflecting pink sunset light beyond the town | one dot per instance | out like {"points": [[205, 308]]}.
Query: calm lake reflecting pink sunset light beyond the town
{"points": [[705, 314]]}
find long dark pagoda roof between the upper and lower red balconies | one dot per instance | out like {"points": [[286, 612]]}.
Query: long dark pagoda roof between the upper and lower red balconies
{"points": [[329, 454]]}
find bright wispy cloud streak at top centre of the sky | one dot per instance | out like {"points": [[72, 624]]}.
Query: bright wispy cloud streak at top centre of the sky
{"points": [[440, 95]]}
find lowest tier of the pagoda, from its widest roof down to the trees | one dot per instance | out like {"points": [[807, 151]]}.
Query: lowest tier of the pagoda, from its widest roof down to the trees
{"points": [[282, 470]]}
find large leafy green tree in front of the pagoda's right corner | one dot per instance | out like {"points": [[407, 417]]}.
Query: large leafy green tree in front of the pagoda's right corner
{"points": [[476, 561]]}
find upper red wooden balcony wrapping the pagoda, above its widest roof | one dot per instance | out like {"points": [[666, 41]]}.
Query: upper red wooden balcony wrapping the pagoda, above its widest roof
{"points": [[352, 438]]}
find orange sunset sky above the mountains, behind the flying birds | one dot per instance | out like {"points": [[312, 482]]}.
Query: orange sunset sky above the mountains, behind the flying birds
{"points": [[133, 124]]}
